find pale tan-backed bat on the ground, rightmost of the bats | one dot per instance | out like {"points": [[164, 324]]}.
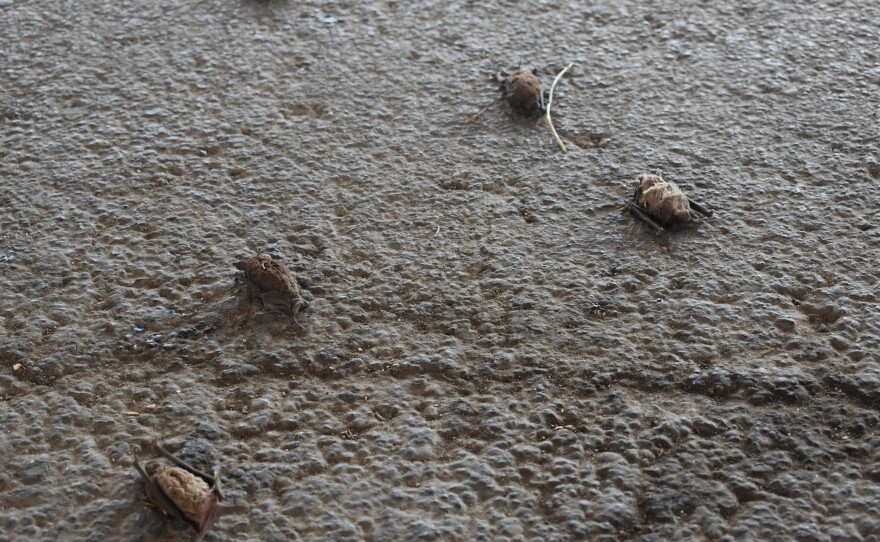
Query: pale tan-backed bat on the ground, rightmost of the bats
{"points": [[662, 204]]}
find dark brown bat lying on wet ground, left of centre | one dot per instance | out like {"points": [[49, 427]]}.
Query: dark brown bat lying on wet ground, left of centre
{"points": [[271, 280]]}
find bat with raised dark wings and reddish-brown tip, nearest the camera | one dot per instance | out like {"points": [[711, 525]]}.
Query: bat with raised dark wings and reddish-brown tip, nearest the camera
{"points": [[185, 493]]}
